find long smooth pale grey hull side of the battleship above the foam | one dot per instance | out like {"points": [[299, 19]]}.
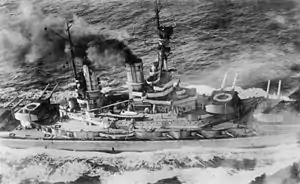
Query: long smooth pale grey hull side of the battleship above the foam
{"points": [[113, 146]]}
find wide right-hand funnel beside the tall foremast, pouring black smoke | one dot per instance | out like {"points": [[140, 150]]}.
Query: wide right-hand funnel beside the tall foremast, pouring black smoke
{"points": [[135, 77]]}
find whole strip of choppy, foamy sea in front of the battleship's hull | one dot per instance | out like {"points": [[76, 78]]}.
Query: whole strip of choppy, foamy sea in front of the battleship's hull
{"points": [[190, 165]]}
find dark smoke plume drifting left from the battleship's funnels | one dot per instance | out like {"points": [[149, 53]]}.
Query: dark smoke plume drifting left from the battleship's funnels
{"points": [[25, 38]]}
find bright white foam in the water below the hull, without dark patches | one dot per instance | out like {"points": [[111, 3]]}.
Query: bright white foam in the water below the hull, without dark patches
{"points": [[269, 160]]}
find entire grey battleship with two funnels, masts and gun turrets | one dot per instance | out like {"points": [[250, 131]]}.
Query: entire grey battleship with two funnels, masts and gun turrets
{"points": [[151, 113]]}
